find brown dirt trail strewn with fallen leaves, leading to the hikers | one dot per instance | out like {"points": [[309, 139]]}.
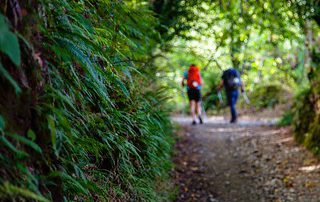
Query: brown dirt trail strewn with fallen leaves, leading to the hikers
{"points": [[249, 161]]}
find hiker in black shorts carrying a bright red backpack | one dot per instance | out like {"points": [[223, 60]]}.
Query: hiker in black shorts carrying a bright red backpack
{"points": [[194, 83]]}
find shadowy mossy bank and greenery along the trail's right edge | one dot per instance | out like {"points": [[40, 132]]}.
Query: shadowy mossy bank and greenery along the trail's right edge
{"points": [[306, 119]]}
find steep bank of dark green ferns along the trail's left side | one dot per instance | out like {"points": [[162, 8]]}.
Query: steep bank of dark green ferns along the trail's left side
{"points": [[82, 114]]}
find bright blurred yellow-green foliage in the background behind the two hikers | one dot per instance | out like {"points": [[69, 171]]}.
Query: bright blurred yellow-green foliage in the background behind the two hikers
{"points": [[260, 38]]}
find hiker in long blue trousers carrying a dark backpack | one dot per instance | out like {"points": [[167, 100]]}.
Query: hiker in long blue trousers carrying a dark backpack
{"points": [[231, 81]]}
